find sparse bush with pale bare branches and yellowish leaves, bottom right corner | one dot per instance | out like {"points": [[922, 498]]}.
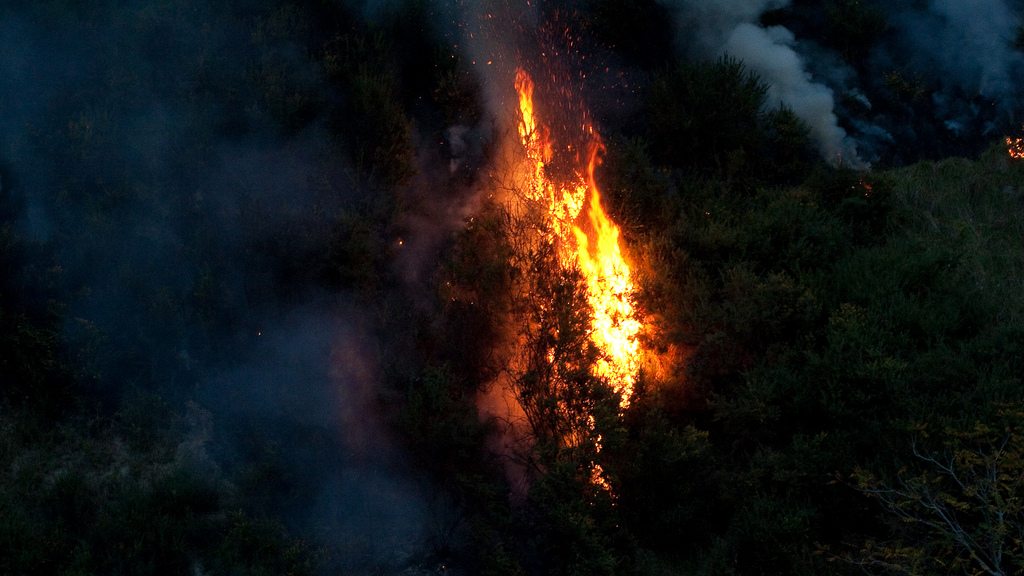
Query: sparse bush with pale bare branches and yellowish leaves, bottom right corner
{"points": [[958, 508]]}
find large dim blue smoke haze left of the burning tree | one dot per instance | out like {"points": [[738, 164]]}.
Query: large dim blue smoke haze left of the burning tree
{"points": [[184, 214]]}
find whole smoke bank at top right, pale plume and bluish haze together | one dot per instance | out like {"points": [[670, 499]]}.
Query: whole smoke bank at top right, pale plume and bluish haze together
{"points": [[868, 54]]}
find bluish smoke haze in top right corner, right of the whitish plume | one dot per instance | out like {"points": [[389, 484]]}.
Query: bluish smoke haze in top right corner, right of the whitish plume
{"points": [[960, 70]]}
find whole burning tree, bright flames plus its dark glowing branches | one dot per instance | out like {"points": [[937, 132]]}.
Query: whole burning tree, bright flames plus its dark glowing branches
{"points": [[574, 352]]}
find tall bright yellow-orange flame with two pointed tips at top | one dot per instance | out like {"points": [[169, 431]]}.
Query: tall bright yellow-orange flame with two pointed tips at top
{"points": [[595, 251]]}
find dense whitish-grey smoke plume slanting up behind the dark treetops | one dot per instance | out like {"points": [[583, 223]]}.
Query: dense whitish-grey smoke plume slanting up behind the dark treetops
{"points": [[729, 27]]}
